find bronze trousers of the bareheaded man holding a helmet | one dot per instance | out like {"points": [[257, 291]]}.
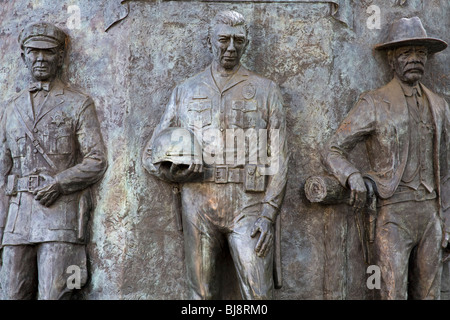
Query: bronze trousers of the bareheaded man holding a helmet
{"points": [[215, 215]]}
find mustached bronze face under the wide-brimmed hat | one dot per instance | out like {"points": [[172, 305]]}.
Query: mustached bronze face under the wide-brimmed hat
{"points": [[409, 63]]}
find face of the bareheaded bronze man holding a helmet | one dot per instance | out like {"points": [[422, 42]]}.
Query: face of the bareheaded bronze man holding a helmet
{"points": [[228, 44]]}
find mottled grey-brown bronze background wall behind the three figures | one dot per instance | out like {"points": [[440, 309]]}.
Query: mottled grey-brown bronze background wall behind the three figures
{"points": [[321, 65]]}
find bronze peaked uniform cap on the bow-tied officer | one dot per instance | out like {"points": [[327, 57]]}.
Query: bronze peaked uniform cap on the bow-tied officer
{"points": [[42, 35]]}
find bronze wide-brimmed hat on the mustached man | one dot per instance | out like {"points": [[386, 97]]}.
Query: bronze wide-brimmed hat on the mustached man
{"points": [[406, 32]]}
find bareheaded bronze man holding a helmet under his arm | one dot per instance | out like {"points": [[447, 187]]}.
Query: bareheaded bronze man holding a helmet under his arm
{"points": [[231, 203]]}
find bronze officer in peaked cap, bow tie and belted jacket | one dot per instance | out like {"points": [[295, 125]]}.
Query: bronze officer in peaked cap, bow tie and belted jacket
{"points": [[51, 151]]}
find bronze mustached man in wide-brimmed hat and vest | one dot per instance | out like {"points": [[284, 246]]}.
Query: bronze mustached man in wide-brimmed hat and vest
{"points": [[406, 130]]}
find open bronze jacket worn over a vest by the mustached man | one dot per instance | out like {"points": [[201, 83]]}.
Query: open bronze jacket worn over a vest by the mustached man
{"points": [[381, 119]]}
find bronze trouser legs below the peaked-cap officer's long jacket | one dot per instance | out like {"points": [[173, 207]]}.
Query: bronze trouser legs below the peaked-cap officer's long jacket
{"points": [[41, 270]]}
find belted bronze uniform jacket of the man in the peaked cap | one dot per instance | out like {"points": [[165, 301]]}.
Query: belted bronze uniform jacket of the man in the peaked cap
{"points": [[69, 132]]}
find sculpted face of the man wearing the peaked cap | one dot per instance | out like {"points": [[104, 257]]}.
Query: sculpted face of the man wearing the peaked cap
{"points": [[42, 63]]}
